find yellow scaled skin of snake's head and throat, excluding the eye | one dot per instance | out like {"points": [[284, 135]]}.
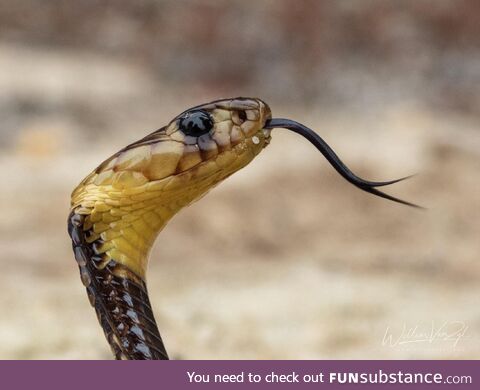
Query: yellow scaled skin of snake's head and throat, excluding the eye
{"points": [[131, 196]]}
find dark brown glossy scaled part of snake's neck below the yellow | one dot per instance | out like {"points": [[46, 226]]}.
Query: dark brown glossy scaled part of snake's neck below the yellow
{"points": [[121, 303]]}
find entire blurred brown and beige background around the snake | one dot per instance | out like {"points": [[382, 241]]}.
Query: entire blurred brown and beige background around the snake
{"points": [[285, 259]]}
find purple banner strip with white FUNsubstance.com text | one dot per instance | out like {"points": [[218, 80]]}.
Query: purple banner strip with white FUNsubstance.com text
{"points": [[81, 375]]}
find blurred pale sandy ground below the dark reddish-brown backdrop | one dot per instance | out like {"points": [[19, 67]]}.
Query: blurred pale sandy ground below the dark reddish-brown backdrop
{"points": [[289, 261]]}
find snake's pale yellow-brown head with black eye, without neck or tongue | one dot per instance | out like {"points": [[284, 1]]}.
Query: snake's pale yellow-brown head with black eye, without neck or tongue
{"points": [[198, 148]]}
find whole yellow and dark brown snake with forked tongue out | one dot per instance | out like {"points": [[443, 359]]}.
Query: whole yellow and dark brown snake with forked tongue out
{"points": [[118, 210]]}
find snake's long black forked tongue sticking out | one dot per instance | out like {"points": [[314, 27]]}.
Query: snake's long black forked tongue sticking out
{"points": [[334, 160]]}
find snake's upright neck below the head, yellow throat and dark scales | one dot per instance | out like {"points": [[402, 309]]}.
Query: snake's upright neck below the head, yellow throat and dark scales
{"points": [[112, 231]]}
